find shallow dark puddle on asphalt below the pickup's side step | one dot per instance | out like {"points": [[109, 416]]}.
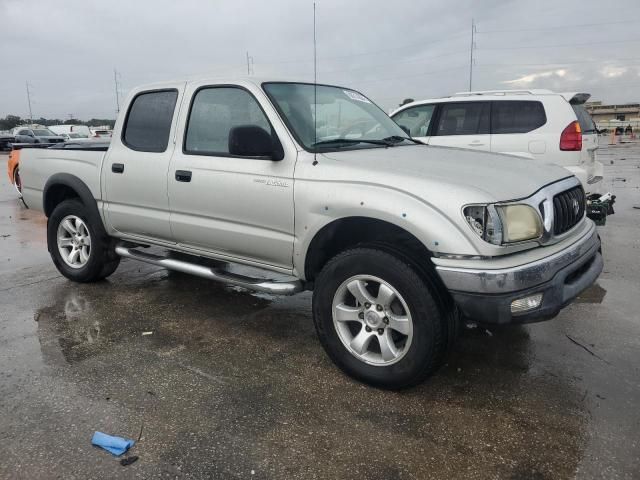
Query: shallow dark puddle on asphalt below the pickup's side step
{"points": [[90, 320]]}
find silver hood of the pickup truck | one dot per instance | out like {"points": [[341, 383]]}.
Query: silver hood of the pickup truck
{"points": [[500, 177]]}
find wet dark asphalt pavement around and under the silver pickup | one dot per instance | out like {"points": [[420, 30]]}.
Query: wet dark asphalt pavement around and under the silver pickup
{"points": [[231, 384]]}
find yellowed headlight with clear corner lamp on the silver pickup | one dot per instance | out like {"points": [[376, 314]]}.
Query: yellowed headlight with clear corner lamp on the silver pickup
{"points": [[504, 223]]}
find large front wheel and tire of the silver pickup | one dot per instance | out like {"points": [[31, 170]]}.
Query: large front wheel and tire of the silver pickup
{"points": [[404, 353]]}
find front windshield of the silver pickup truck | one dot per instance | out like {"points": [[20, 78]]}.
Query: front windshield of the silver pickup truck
{"points": [[330, 118]]}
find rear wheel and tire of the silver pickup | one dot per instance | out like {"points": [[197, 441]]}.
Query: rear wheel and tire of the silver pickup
{"points": [[89, 253]]}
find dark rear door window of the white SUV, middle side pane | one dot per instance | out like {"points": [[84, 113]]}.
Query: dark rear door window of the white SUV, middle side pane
{"points": [[463, 118]]}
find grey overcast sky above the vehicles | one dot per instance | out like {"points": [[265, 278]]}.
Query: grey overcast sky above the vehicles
{"points": [[388, 49]]}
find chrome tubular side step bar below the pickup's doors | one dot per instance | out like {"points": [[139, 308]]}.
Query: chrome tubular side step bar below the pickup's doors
{"points": [[257, 284]]}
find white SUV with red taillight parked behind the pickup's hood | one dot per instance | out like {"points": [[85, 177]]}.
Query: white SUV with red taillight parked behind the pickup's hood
{"points": [[537, 124]]}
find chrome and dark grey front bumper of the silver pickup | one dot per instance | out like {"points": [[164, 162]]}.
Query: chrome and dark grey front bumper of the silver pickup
{"points": [[487, 296]]}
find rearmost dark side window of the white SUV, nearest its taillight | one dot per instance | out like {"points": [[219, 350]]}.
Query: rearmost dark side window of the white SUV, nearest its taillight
{"points": [[516, 116]]}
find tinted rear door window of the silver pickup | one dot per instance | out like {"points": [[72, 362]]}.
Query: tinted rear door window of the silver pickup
{"points": [[149, 119]]}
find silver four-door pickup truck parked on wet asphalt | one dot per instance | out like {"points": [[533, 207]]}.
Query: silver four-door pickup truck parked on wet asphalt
{"points": [[318, 188]]}
